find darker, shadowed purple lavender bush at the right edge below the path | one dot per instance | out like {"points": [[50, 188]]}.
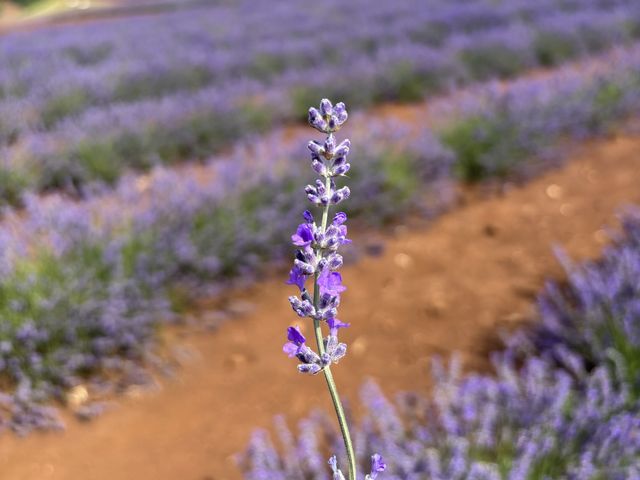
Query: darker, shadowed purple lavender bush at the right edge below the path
{"points": [[594, 315]]}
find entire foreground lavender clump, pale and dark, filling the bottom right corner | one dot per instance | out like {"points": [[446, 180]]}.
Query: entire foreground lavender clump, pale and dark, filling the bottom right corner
{"points": [[562, 402]]}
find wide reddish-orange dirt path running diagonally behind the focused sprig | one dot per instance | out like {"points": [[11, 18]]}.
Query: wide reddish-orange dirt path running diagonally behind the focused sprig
{"points": [[431, 291]]}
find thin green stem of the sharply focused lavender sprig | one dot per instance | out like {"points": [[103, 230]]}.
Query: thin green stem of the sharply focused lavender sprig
{"points": [[331, 384]]}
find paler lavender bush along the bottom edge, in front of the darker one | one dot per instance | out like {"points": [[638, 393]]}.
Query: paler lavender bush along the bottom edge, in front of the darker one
{"points": [[534, 422]]}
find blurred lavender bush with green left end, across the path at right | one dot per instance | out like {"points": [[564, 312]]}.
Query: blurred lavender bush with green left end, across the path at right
{"points": [[496, 130]]}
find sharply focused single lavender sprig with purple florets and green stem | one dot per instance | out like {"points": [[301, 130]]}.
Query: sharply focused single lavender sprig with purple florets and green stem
{"points": [[317, 257]]}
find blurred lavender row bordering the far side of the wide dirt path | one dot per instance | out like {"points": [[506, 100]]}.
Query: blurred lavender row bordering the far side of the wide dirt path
{"points": [[84, 284]]}
